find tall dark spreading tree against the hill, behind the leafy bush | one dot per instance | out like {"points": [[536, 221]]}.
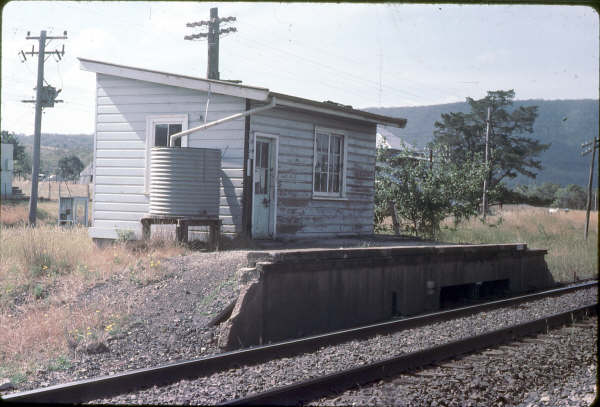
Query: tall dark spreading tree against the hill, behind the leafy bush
{"points": [[511, 152]]}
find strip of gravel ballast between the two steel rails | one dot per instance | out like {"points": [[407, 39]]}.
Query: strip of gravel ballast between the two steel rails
{"points": [[246, 380]]}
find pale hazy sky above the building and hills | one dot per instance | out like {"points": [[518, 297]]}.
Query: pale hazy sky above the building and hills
{"points": [[364, 55]]}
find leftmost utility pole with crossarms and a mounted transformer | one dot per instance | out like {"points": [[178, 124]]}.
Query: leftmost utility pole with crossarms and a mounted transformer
{"points": [[45, 96]]}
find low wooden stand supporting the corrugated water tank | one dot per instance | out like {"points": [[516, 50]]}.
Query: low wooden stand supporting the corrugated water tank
{"points": [[181, 229]]}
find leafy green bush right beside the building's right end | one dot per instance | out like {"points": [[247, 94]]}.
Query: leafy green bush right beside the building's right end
{"points": [[425, 193]]}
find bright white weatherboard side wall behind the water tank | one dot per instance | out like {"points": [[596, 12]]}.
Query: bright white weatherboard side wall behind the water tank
{"points": [[122, 108]]}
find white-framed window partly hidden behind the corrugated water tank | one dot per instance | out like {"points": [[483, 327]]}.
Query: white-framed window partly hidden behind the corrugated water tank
{"points": [[159, 130]]}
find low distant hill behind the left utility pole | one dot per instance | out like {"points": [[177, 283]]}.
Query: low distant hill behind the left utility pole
{"points": [[55, 146]]}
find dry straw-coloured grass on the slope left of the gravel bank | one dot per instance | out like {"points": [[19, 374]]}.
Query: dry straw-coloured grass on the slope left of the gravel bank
{"points": [[43, 270]]}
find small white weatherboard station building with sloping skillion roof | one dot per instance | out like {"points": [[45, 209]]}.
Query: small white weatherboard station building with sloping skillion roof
{"points": [[294, 168]]}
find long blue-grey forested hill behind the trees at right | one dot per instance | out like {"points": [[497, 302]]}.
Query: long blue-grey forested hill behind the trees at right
{"points": [[563, 123]]}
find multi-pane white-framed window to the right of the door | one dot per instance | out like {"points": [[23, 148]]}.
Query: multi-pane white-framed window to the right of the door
{"points": [[329, 168]]}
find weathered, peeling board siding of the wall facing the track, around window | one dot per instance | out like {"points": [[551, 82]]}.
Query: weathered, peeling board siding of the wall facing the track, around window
{"points": [[298, 213]]}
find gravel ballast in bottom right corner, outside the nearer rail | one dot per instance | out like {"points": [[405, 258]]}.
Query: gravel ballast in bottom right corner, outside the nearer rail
{"points": [[555, 369]]}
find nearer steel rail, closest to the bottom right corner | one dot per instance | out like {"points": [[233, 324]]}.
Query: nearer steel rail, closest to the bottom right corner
{"points": [[305, 391]]}
